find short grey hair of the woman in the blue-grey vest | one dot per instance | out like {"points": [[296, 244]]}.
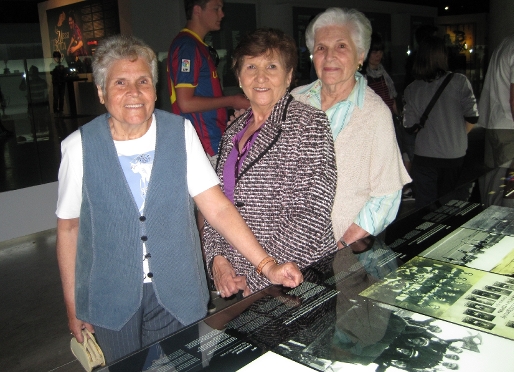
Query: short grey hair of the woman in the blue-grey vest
{"points": [[118, 47]]}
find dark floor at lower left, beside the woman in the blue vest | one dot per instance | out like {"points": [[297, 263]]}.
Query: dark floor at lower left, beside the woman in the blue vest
{"points": [[34, 332]]}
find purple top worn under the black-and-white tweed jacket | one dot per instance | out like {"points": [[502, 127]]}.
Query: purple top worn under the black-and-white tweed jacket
{"points": [[235, 159]]}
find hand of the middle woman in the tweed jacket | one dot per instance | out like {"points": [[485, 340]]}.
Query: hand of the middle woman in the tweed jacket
{"points": [[226, 280]]}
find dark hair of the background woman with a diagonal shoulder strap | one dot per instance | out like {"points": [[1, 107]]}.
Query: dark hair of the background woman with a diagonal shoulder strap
{"points": [[431, 61]]}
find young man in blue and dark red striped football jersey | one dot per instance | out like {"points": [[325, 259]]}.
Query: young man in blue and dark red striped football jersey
{"points": [[193, 81]]}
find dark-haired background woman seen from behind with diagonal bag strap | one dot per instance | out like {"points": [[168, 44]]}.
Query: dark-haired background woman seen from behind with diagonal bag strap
{"points": [[441, 145]]}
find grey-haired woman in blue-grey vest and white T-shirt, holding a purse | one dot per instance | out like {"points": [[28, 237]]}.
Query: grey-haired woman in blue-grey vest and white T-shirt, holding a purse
{"points": [[127, 242]]}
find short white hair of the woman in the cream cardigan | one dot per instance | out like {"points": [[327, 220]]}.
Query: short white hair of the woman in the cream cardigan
{"points": [[358, 24]]}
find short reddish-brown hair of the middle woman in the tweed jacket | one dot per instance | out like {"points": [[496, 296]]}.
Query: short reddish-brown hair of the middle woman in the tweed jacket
{"points": [[264, 41]]}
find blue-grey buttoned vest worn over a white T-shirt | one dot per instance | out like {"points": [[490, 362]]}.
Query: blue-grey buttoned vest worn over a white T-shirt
{"points": [[109, 269]]}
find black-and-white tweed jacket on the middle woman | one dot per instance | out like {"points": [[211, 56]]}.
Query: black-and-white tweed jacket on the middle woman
{"points": [[285, 190]]}
